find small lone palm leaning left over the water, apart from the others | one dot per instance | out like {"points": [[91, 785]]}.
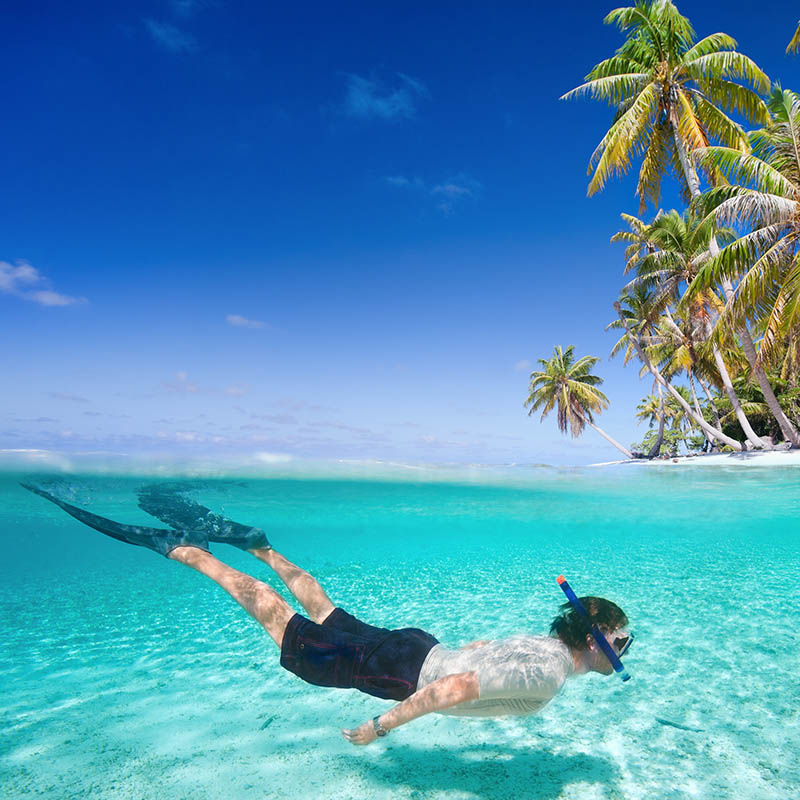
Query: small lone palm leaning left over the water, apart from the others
{"points": [[569, 387]]}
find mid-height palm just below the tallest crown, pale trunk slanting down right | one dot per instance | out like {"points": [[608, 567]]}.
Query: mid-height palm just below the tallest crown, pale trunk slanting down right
{"points": [[678, 246]]}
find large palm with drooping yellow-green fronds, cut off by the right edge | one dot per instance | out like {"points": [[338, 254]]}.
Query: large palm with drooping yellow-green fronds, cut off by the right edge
{"points": [[764, 195]]}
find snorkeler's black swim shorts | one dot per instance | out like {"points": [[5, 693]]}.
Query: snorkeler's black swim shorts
{"points": [[346, 653]]}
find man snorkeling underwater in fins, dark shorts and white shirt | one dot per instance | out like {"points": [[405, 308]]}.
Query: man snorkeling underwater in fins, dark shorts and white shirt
{"points": [[329, 647]]}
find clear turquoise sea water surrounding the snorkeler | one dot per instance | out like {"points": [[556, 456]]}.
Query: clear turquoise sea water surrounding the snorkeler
{"points": [[125, 675]]}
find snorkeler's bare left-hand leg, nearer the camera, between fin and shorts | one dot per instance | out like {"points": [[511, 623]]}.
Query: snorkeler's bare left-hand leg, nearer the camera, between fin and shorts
{"points": [[262, 602]]}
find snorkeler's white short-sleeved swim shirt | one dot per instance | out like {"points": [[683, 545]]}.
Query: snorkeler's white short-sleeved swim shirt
{"points": [[518, 675]]}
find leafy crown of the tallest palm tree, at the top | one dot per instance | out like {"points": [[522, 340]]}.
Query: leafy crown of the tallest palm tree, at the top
{"points": [[671, 95]]}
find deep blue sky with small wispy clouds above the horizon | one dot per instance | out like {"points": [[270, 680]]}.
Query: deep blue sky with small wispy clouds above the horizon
{"points": [[329, 230]]}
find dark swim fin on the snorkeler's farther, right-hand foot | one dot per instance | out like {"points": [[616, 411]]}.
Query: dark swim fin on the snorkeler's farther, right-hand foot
{"points": [[167, 502]]}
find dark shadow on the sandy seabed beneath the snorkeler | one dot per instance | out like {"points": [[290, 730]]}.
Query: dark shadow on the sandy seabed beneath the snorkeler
{"points": [[487, 771]]}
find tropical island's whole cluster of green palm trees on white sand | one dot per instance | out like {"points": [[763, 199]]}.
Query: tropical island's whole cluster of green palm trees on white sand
{"points": [[710, 309]]}
